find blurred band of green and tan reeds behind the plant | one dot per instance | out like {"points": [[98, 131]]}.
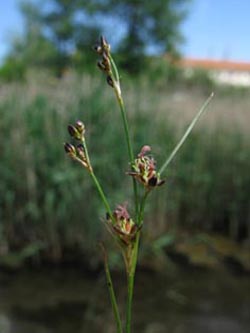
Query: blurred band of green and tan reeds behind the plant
{"points": [[208, 184]]}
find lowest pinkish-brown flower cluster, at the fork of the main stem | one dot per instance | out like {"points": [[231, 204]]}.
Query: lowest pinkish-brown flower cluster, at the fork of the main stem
{"points": [[121, 224]]}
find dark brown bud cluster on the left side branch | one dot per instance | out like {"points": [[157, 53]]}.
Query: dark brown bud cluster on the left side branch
{"points": [[77, 151]]}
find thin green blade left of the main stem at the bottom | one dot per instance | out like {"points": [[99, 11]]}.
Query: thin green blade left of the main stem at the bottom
{"points": [[112, 293]]}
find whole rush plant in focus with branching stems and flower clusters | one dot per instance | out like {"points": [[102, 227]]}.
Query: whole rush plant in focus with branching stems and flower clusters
{"points": [[125, 228]]}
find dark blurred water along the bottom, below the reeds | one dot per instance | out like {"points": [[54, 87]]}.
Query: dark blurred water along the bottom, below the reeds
{"points": [[69, 301]]}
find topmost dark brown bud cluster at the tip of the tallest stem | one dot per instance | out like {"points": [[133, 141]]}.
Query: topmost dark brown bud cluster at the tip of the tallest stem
{"points": [[103, 49]]}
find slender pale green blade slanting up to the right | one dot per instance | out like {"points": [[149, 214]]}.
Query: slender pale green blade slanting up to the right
{"points": [[184, 137]]}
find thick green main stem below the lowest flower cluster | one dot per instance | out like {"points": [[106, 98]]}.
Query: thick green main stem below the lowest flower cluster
{"points": [[131, 280]]}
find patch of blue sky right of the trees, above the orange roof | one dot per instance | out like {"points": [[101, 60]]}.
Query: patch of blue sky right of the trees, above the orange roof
{"points": [[218, 29]]}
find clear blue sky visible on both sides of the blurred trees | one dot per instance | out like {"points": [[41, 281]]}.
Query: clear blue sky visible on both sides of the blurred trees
{"points": [[217, 29]]}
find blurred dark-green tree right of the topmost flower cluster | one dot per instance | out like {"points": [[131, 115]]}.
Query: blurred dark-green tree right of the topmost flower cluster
{"points": [[149, 26]]}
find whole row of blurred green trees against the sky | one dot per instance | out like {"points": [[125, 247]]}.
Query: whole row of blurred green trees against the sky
{"points": [[58, 33]]}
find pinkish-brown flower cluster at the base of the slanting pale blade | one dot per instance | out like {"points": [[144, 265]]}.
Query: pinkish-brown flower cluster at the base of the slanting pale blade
{"points": [[144, 169]]}
